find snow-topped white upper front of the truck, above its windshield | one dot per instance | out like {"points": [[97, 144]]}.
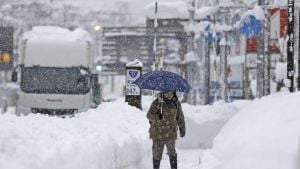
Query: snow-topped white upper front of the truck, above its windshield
{"points": [[48, 45]]}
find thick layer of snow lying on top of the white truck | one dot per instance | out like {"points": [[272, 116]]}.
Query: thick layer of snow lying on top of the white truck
{"points": [[42, 33]]}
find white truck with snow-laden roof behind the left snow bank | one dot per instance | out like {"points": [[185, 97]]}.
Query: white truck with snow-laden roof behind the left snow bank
{"points": [[56, 72]]}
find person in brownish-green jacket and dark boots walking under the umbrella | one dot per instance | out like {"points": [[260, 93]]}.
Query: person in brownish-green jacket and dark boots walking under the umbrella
{"points": [[165, 116]]}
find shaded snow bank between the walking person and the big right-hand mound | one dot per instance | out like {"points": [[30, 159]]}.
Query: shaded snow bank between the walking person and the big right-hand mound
{"points": [[203, 123]]}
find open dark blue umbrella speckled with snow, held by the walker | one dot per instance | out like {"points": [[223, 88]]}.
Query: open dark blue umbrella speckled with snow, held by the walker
{"points": [[163, 81]]}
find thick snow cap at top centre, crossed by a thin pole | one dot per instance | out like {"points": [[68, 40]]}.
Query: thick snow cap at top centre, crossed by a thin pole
{"points": [[167, 9]]}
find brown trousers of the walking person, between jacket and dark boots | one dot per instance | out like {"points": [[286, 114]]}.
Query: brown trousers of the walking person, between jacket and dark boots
{"points": [[158, 148]]}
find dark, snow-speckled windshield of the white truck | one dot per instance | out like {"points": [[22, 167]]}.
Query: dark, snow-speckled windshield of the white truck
{"points": [[50, 80]]}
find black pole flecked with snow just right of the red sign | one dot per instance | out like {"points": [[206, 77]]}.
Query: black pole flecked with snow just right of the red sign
{"points": [[290, 45]]}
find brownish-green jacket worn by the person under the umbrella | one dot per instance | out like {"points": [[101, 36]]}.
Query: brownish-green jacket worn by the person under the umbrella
{"points": [[165, 126]]}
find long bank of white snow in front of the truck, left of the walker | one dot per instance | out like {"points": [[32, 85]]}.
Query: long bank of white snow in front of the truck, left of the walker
{"points": [[112, 136]]}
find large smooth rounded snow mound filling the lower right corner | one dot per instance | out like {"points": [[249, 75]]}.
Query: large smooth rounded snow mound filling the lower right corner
{"points": [[263, 135]]}
